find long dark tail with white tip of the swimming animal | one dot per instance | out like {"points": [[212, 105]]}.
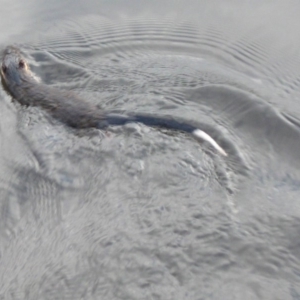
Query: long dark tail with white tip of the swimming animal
{"points": [[168, 123]]}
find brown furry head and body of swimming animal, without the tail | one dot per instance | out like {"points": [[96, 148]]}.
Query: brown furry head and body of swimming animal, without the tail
{"points": [[63, 105]]}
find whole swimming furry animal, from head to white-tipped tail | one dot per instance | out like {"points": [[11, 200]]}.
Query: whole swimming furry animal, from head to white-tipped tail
{"points": [[68, 108]]}
